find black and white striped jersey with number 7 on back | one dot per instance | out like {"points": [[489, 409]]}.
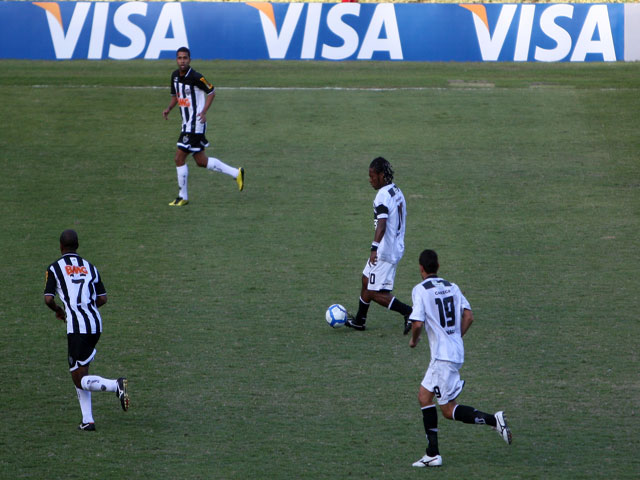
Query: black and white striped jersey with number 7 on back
{"points": [[78, 284]]}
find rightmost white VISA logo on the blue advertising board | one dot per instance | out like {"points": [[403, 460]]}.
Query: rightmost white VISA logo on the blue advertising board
{"points": [[595, 35]]}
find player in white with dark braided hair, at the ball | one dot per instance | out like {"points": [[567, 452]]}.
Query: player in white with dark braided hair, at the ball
{"points": [[387, 248]]}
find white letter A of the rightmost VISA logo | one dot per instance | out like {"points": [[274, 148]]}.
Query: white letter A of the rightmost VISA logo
{"points": [[597, 18]]}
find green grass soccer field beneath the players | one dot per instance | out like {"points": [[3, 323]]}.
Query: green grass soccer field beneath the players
{"points": [[524, 178]]}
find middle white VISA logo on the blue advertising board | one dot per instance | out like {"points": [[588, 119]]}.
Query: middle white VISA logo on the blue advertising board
{"points": [[278, 39]]}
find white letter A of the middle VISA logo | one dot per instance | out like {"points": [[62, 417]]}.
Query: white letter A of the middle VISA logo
{"points": [[383, 16]]}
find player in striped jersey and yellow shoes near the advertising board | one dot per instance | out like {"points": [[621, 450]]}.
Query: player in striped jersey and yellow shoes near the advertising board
{"points": [[194, 95]]}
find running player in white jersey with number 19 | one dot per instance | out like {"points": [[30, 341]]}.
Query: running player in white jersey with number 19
{"points": [[446, 315]]}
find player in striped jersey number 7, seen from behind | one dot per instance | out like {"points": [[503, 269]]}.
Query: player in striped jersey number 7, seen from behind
{"points": [[80, 288]]}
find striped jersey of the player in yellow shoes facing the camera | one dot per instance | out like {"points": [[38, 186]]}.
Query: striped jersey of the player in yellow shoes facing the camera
{"points": [[191, 91]]}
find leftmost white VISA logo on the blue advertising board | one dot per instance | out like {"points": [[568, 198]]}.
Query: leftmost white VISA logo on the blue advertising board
{"points": [[65, 40]]}
